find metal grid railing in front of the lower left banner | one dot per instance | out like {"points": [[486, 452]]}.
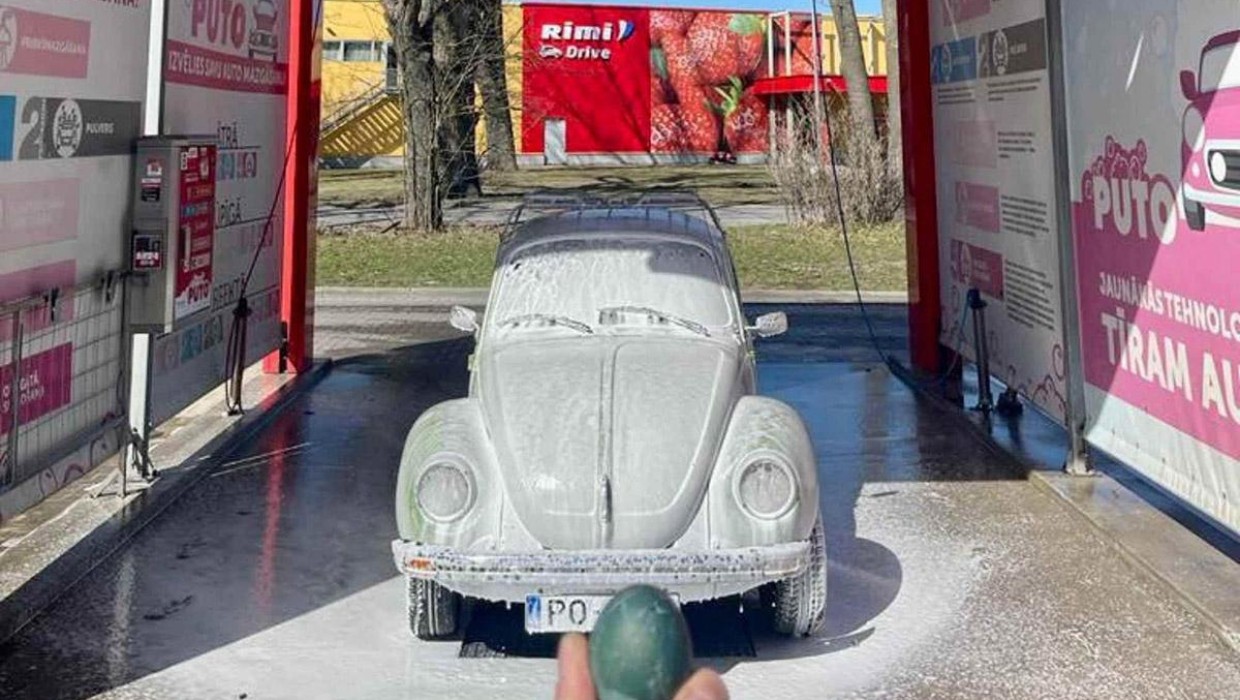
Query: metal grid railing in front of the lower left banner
{"points": [[63, 376]]}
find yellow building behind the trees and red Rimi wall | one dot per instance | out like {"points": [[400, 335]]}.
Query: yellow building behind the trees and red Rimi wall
{"points": [[363, 123]]}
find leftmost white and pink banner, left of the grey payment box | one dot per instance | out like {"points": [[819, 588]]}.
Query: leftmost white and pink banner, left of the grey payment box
{"points": [[73, 86]]}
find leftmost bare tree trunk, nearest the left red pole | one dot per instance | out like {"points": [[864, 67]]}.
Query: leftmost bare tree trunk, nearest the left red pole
{"points": [[412, 27]]}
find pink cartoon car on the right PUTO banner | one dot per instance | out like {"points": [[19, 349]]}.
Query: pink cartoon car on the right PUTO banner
{"points": [[1212, 133]]}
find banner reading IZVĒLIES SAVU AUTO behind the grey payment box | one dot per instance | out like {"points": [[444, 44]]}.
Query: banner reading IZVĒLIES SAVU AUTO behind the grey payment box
{"points": [[226, 74]]}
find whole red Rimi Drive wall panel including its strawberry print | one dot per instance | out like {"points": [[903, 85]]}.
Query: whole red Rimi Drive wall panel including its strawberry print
{"points": [[680, 82]]}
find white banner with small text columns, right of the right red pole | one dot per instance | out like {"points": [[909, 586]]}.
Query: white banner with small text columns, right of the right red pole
{"points": [[995, 164]]}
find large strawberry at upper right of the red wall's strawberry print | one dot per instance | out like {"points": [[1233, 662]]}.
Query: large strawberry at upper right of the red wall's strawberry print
{"points": [[726, 45]]}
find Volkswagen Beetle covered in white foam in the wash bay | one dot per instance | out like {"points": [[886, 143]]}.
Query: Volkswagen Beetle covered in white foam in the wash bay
{"points": [[612, 435]]}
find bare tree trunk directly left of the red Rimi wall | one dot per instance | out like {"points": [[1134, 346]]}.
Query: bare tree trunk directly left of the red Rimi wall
{"points": [[493, 84]]}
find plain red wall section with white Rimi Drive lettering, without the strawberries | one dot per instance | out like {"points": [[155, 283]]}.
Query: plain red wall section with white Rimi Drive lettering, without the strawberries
{"points": [[588, 65]]}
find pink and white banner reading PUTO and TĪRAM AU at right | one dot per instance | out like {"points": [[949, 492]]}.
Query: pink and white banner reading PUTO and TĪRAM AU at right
{"points": [[1154, 111]]}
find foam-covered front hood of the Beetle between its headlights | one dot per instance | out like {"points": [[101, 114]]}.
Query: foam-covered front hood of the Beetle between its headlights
{"points": [[608, 442]]}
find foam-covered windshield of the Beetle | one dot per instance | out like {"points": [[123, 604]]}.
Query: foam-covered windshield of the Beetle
{"points": [[581, 279]]}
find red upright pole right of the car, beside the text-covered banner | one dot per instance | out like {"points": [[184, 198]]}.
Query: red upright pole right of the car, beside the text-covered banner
{"points": [[922, 211]]}
